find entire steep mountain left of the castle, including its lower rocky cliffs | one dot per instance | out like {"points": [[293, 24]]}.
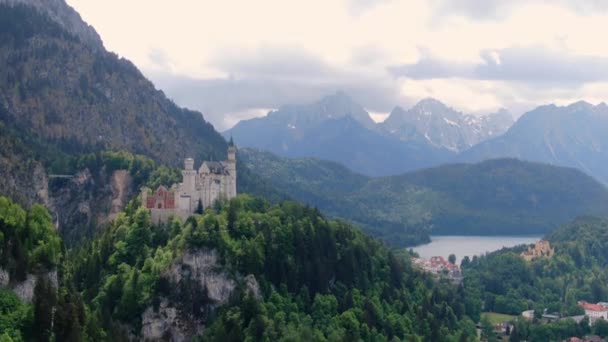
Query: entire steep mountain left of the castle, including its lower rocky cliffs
{"points": [[63, 99]]}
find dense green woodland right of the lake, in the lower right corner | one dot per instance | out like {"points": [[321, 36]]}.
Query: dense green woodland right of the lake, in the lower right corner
{"points": [[503, 282]]}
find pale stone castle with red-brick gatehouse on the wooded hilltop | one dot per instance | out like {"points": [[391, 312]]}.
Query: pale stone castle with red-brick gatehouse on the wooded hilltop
{"points": [[199, 188]]}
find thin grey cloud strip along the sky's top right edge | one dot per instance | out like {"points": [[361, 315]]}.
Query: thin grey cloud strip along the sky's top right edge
{"points": [[500, 9]]}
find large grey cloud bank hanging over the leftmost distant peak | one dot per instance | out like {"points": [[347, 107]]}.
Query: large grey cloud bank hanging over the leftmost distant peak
{"points": [[270, 77]]}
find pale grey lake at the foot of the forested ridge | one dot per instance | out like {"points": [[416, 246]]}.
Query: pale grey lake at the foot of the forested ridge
{"points": [[462, 246]]}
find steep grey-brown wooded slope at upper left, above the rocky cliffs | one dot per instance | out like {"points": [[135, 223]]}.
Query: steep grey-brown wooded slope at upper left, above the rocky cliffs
{"points": [[59, 89]]}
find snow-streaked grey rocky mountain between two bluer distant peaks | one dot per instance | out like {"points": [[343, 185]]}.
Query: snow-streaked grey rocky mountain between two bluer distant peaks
{"points": [[433, 122]]}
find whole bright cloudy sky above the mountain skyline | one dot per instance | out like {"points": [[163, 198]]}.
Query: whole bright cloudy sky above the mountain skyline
{"points": [[234, 60]]}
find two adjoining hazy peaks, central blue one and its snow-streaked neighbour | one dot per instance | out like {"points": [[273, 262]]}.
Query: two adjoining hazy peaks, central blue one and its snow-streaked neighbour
{"points": [[338, 129]]}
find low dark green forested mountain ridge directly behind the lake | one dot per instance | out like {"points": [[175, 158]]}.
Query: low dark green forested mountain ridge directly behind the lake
{"points": [[503, 196]]}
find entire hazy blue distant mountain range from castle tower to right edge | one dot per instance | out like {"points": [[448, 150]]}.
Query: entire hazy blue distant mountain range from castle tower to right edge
{"points": [[429, 134]]}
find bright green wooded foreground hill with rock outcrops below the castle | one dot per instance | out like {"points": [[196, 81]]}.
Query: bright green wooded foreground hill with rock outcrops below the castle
{"points": [[250, 271]]}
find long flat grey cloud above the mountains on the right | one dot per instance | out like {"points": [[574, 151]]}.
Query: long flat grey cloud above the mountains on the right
{"points": [[530, 64]]}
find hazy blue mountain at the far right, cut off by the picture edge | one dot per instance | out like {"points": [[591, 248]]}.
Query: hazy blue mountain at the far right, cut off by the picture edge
{"points": [[573, 136]]}
